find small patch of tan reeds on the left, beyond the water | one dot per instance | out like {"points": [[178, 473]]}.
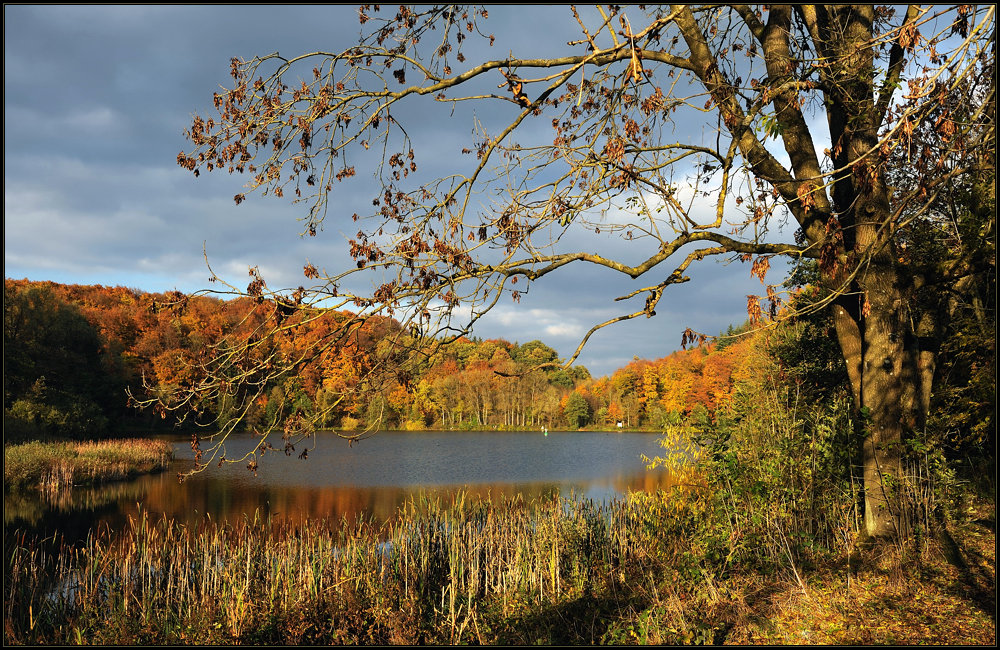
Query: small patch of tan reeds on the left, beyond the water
{"points": [[58, 465]]}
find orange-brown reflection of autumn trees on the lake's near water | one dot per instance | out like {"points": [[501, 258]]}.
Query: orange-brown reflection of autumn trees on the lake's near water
{"points": [[233, 496]]}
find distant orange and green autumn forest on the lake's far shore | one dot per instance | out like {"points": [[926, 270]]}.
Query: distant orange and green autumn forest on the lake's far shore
{"points": [[71, 351]]}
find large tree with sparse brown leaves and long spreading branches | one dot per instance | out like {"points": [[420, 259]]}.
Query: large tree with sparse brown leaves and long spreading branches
{"points": [[797, 111]]}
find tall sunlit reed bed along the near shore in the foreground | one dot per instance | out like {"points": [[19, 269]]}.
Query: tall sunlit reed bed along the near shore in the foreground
{"points": [[454, 572]]}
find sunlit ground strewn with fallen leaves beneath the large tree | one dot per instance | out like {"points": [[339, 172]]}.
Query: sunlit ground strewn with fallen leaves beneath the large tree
{"points": [[945, 595]]}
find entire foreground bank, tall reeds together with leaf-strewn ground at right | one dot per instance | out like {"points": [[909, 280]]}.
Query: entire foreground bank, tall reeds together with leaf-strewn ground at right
{"points": [[509, 572]]}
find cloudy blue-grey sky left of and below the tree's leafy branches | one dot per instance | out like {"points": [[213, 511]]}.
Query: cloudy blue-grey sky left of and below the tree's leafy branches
{"points": [[96, 100]]}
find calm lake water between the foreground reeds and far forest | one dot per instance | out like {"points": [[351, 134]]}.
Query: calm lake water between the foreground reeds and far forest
{"points": [[371, 478]]}
